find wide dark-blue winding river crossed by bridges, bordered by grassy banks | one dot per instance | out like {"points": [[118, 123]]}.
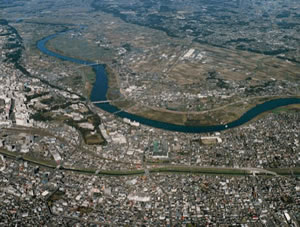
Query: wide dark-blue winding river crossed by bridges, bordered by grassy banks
{"points": [[101, 86]]}
